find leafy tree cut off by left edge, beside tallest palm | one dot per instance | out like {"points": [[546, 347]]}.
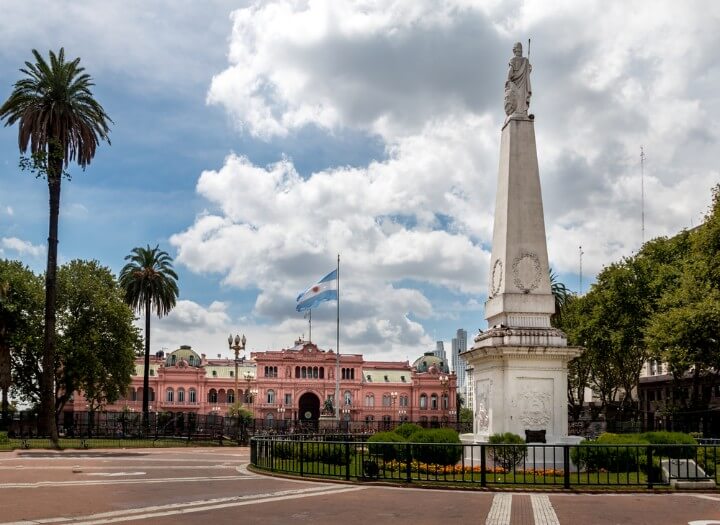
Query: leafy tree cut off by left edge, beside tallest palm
{"points": [[21, 302]]}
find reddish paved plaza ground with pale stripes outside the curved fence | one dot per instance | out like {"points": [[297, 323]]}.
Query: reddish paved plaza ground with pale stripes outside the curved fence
{"points": [[212, 485]]}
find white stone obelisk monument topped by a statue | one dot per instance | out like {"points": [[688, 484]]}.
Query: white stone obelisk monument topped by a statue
{"points": [[520, 362]]}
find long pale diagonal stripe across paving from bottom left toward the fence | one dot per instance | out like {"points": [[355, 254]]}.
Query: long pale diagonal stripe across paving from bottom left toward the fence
{"points": [[190, 507]]}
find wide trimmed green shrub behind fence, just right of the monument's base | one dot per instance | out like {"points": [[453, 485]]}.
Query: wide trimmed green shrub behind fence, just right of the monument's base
{"points": [[611, 452]]}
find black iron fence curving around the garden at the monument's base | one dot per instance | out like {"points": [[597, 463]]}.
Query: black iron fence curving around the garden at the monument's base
{"points": [[561, 466]]}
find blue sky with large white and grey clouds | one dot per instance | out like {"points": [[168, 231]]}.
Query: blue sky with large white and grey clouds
{"points": [[256, 141]]}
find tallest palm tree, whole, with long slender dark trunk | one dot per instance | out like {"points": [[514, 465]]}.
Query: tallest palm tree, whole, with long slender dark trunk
{"points": [[61, 122]]}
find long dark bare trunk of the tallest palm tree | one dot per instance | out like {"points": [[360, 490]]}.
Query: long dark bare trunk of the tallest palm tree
{"points": [[48, 422]]}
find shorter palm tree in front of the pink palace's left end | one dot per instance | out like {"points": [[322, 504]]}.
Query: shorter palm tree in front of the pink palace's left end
{"points": [[150, 283]]}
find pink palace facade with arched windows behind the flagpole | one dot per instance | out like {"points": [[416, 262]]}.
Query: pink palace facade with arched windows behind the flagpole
{"points": [[294, 384]]}
